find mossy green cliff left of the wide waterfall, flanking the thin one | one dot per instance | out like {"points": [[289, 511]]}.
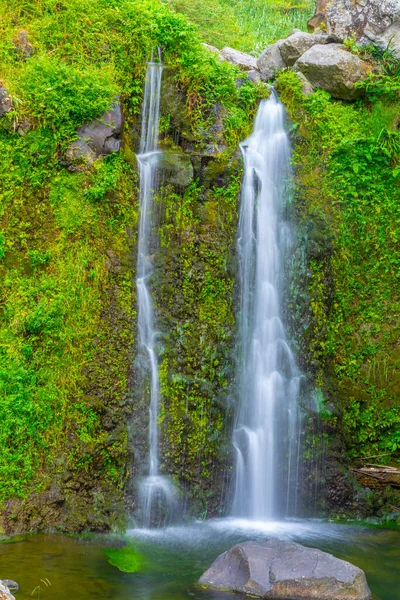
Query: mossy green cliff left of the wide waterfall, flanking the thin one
{"points": [[67, 249]]}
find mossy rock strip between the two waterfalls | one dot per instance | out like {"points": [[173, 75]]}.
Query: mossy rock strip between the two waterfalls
{"points": [[193, 290]]}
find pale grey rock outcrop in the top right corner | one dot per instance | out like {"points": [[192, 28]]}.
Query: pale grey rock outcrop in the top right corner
{"points": [[376, 21]]}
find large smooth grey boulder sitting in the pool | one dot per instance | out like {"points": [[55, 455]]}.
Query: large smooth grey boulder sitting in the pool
{"points": [[278, 569]]}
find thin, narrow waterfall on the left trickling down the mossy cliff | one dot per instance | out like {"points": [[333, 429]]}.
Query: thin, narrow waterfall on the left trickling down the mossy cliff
{"points": [[156, 492]]}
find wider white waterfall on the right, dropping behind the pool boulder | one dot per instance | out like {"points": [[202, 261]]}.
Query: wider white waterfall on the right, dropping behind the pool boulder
{"points": [[266, 434]]}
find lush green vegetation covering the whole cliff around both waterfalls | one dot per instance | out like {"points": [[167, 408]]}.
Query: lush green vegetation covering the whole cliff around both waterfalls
{"points": [[67, 247]]}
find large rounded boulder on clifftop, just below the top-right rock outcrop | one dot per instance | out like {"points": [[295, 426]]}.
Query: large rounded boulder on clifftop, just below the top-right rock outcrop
{"points": [[332, 69]]}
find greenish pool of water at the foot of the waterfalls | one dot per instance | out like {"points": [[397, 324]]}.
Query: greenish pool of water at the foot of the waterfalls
{"points": [[78, 568]]}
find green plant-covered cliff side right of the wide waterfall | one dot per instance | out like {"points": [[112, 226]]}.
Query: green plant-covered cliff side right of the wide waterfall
{"points": [[348, 209]]}
